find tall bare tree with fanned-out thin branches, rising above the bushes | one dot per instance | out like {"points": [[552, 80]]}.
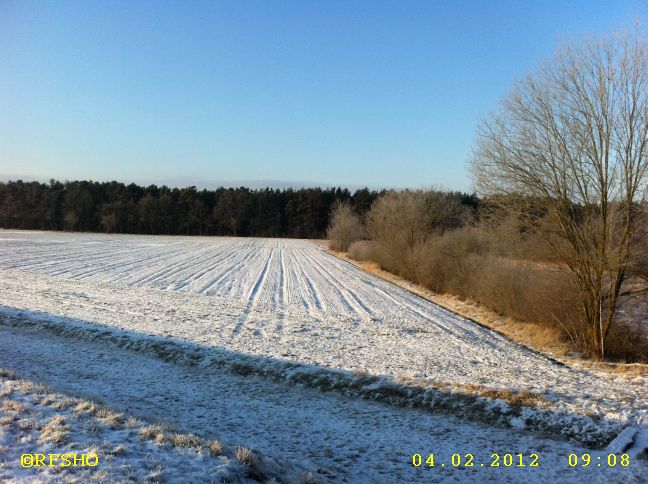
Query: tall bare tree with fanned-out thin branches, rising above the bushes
{"points": [[575, 133]]}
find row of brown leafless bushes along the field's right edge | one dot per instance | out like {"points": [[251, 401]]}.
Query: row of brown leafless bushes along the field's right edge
{"points": [[503, 263]]}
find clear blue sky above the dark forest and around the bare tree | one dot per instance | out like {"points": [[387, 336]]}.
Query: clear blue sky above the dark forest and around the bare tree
{"points": [[339, 92]]}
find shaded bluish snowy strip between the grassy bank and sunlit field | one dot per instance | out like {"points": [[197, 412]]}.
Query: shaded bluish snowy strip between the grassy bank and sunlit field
{"points": [[337, 438]]}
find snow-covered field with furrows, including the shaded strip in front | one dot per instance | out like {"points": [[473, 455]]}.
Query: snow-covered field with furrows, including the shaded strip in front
{"points": [[287, 304]]}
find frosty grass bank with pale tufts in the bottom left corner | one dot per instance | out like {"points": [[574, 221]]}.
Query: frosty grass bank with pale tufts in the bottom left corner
{"points": [[33, 420]]}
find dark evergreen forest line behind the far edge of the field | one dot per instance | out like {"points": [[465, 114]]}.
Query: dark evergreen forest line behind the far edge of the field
{"points": [[115, 207]]}
